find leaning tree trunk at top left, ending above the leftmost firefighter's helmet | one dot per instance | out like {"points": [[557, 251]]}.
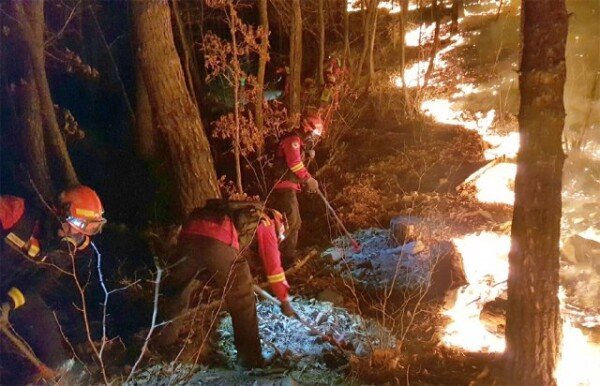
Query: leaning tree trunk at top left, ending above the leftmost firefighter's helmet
{"points": [[30, 18]]}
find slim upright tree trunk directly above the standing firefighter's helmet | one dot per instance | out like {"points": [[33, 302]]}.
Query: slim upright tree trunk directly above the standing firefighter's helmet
{"points": [[295, 62]]}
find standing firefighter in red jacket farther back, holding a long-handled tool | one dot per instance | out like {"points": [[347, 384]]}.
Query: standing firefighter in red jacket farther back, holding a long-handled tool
{"points": [[291, 174]]}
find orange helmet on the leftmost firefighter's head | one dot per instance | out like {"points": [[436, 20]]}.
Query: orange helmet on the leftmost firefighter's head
{"points": [[82, 209]]}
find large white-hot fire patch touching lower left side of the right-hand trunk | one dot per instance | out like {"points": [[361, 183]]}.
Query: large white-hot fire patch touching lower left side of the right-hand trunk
{"points": [[485, 272]]}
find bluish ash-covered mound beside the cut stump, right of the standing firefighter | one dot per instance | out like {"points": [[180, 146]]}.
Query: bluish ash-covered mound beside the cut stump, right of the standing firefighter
{"points": [[378, 264]]}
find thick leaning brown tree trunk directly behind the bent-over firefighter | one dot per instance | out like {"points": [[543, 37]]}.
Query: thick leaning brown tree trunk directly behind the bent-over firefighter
{"points": [[174, 112]]}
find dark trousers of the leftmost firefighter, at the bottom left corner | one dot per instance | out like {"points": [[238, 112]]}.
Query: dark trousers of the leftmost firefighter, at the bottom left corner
{"points": [[35, 323]]}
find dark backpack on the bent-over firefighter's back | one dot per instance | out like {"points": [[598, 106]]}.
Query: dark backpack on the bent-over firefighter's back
{"points": [[245, 215]]}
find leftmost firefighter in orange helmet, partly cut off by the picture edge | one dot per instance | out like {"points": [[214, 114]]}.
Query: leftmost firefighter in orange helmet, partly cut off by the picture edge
{"points": [[28, 270]]}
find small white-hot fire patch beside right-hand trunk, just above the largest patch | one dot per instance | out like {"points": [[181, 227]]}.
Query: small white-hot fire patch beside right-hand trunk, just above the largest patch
{"points": [[496, 184]]}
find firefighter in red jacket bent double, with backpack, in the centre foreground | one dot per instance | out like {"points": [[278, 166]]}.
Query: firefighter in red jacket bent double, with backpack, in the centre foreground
{"points": [[212, 242]]}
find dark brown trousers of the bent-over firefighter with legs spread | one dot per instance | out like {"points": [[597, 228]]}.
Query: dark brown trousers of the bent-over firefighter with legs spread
{"points": [[222, 264]]}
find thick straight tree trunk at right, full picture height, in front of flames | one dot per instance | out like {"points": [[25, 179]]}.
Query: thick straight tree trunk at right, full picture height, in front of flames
{"points": [[533, 325]]}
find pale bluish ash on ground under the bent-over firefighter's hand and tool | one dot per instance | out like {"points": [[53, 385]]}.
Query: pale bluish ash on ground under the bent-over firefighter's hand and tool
{"points": [[288, 343]]}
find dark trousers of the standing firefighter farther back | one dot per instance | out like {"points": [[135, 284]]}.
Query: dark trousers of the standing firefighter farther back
{"points": [[286, 201]]}
